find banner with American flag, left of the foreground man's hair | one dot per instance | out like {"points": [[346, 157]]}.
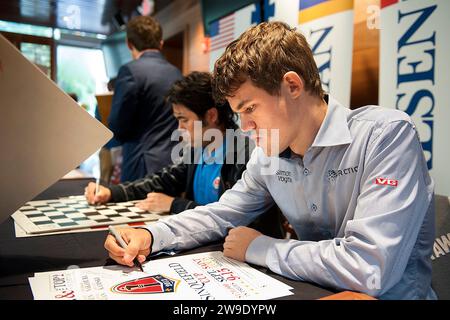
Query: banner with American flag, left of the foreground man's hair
{"points": [[225, 30]]}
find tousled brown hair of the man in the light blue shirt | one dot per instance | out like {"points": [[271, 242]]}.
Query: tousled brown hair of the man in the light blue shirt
{"points": [[263, 54]]}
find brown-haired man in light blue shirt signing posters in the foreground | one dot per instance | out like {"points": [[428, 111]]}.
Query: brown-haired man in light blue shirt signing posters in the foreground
{"points": [[353, 184]]}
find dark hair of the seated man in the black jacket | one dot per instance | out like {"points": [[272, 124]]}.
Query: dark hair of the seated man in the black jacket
{"points": [[195, 93]]}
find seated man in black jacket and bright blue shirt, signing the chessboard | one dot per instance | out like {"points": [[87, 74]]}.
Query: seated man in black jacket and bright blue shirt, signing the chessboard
{"points": [[194, 181]]}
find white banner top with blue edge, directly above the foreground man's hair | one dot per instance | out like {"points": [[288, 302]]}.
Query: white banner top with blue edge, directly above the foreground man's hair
{"points": [[282, 10]]}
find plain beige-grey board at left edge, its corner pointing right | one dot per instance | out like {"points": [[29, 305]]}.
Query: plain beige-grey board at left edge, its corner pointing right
{"points": [[44, 133]]}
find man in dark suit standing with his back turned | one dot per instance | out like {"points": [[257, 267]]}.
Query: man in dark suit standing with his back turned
{"points": [[140, 118]]}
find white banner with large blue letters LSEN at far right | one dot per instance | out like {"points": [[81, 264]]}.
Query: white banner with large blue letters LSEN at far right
{"points": [[415, 75]]}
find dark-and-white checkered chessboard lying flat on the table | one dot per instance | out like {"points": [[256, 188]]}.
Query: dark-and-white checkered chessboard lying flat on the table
{"points": [[75, 213]]}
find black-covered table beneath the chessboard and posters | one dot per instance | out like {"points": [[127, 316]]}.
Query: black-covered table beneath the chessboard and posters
{"points": [[20, 258]]}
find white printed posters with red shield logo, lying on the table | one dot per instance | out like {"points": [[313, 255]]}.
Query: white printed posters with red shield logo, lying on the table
{"points": [[203, 276]]}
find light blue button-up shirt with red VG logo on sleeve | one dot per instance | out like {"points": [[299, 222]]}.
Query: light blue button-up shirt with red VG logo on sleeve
{"points": [[360, 201]]}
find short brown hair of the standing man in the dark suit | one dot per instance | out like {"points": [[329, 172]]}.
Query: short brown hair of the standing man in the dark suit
{"points": [[144, 33]]}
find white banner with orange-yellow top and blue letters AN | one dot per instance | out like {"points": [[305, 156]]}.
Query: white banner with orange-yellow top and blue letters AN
{"points": [[328, 28]]}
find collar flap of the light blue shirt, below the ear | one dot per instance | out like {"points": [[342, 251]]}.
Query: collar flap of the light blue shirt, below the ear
{"points": [[334, 130]]}
